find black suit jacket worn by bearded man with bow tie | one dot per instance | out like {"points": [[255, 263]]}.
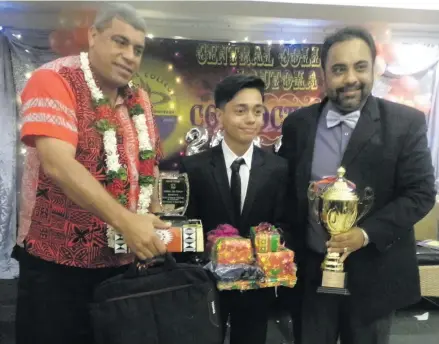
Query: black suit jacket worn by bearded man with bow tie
{"points": [[387, 151]]}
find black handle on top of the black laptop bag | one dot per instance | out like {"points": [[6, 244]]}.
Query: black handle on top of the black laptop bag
{"points": [[151, 266]]}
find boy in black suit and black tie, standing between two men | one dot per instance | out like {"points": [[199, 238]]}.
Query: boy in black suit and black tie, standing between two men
{"points": [[239, 184]]}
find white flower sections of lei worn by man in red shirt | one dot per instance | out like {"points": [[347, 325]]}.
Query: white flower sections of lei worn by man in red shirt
{"points": [[110, 146]]}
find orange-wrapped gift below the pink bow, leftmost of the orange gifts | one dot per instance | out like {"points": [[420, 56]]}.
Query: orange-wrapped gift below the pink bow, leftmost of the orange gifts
{"points": [[232, 250]]}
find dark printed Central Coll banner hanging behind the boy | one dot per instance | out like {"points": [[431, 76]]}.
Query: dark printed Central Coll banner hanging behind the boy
{"points": [[181, 75]]}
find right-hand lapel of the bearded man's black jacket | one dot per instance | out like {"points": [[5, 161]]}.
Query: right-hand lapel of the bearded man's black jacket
{"points": [[366, 127]]}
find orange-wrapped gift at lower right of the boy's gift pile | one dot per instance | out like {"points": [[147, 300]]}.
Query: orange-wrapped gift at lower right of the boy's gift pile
{"points": [[277, 264]]}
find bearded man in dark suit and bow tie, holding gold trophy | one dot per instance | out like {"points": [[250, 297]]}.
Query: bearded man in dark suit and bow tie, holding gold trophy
{"points": [[382, 145]]}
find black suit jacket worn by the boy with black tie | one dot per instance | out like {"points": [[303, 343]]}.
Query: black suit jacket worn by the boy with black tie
{"points": [[210, 197]]}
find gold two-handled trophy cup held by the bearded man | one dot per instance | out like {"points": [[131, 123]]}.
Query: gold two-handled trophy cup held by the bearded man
{"points": [[335, 203]]}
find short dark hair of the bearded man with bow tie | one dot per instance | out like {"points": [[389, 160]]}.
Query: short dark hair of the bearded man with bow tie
{"points": [[346, 34]]}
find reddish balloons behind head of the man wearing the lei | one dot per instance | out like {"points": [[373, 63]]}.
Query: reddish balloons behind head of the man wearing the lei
{"points": [[72, 36]]}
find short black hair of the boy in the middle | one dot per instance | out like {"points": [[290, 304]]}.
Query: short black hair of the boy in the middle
{"points": [[231, 85]]}
